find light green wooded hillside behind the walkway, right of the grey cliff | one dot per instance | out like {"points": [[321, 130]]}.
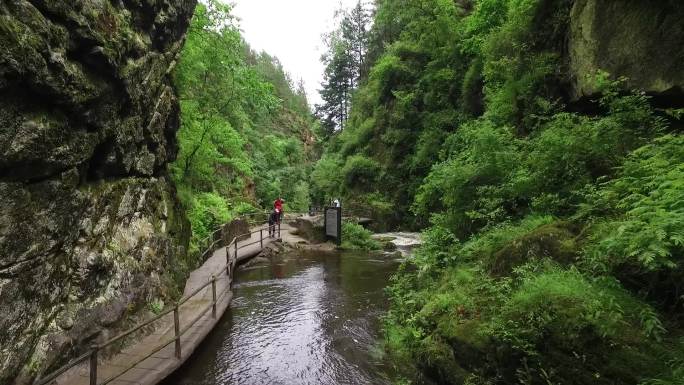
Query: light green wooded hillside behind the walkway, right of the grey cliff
{"points": [[246, 134]]}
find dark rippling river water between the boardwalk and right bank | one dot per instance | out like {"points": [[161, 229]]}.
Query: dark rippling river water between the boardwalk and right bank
{"points": [[305, 318]]}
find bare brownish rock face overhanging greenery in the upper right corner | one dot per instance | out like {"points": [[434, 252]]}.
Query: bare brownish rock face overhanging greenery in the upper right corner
{"points": [[638, 39]]}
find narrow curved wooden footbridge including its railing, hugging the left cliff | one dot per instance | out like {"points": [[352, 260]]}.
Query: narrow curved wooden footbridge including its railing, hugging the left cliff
{"points": [[169, 338]]}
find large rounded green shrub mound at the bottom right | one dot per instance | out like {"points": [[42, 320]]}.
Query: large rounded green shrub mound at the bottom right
{"points": [[553, 312]]}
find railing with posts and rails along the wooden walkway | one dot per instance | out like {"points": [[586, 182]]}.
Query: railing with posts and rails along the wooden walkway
{"points": [[93, 353]]}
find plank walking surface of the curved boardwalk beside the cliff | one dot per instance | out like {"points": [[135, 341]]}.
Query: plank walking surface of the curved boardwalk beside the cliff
{"points": [[158, 366]]}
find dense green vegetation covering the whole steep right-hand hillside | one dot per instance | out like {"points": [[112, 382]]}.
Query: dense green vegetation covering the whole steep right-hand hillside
{"points": [[551, 198]]}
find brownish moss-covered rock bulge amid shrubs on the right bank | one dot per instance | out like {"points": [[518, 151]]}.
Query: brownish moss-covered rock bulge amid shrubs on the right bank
{"points": [[555, 241]]}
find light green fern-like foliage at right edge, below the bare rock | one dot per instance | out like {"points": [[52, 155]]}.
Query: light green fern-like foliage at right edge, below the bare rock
{"points": [[648, 194]]}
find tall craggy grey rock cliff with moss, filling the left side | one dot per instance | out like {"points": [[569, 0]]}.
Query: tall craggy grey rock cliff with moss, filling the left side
{"points": [[90, 229]]}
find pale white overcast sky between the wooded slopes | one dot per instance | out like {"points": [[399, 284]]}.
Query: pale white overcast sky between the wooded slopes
{"points": [[291, 30]]}
